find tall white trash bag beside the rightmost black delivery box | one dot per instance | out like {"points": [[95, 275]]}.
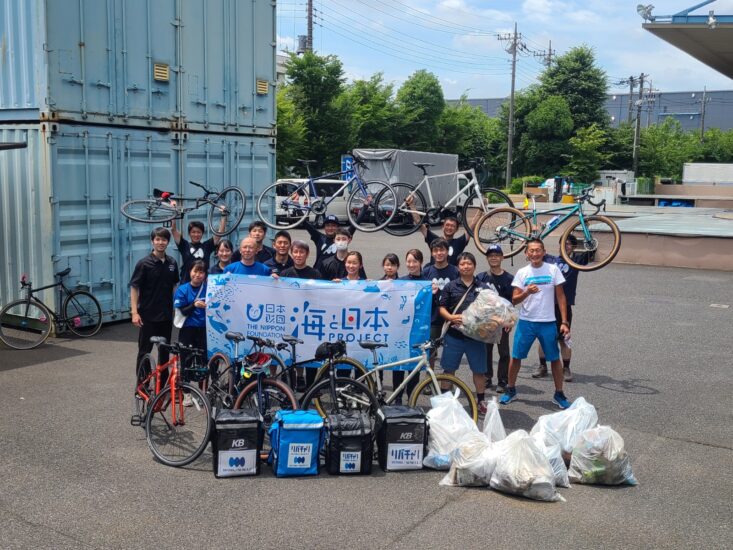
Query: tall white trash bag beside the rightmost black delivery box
{"points": [[449, 423]]}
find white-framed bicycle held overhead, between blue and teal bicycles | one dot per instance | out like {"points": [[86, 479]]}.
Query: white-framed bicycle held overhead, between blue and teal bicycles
{"points": [[413, 211]]}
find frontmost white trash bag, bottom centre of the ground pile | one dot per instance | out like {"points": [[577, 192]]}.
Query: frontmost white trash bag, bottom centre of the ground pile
{"points": [[522, 469]]}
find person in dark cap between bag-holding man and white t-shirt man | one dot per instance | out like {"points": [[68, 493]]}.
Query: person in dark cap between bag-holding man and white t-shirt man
{"points": [[501, 281]]}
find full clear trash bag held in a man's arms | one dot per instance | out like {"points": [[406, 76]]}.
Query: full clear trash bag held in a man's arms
{"points": [[487, 316]]}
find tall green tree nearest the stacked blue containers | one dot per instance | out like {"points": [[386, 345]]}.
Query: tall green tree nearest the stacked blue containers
{"points": [[316, 82]]}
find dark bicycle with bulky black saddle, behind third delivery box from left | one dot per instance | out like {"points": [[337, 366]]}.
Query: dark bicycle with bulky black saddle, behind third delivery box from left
{"points": [[335, 394]]}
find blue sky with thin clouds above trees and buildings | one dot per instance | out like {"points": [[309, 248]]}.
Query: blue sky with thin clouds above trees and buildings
{"points": [[459, 41]]}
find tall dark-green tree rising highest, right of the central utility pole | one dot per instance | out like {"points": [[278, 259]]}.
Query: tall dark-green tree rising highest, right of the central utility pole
{"points": [[575, 77]]}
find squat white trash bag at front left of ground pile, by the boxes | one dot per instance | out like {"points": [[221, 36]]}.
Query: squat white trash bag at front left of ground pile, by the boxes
{"points": [[472, 462]]}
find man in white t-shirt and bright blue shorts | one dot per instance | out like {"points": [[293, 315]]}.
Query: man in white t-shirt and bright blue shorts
{"points": [[537, 287]]}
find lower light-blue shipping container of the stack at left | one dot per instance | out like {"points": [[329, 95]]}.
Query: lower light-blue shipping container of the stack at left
{"points": [[60, 198]]}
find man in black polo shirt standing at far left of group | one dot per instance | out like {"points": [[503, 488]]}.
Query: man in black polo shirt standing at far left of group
{"points": [[151, 295]]}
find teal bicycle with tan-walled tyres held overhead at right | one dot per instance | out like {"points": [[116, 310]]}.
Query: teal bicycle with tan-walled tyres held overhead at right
{"points": [[598, 237]]}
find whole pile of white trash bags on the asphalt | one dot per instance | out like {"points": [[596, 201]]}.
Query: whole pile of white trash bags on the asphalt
{"points": [[532, 464]]}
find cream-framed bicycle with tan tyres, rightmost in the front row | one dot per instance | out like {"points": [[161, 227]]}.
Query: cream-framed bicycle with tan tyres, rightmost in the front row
{"points": [[433, 385]]}
